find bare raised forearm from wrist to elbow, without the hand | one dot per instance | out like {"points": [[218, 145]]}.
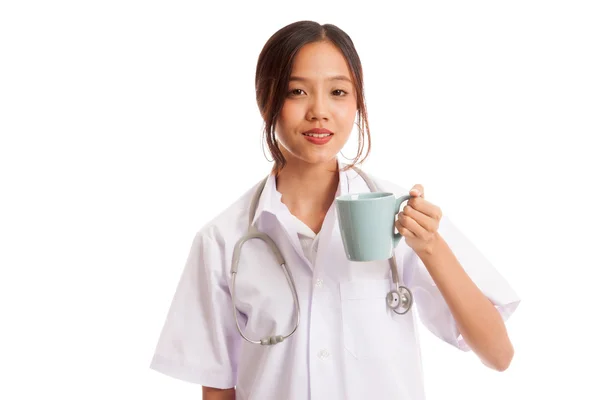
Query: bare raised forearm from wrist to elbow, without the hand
{"points": [[477, 319]]}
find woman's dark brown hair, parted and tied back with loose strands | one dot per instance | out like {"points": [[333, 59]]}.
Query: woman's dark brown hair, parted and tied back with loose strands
{"points": [[273, 71]]}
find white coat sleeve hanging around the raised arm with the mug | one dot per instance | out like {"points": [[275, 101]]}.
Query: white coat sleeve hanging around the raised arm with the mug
{"points": [[432, 309]]}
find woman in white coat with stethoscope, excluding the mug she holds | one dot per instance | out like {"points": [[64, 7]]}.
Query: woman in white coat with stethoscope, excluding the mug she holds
{"points": [[330, 334]]}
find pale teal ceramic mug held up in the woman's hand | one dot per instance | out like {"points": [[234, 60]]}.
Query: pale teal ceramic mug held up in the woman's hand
{"points": [[367, 223]]}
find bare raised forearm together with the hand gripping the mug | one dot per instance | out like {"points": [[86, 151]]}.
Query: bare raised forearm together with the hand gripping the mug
{"points": [[477, 320]]}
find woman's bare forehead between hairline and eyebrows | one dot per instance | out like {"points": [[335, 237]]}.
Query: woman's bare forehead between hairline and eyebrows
{"points": [[320, 60]]}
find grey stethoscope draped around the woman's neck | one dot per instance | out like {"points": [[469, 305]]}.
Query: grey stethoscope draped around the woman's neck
{"points": [[399, 299]]}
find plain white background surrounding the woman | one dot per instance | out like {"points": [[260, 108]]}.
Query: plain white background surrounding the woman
{"points": [[127, 125]]}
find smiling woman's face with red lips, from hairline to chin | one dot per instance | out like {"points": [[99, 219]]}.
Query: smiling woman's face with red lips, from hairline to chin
{"points": [[320, 95]]}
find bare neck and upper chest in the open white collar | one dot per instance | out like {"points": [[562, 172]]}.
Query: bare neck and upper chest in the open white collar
{"points": [[308, 190]]}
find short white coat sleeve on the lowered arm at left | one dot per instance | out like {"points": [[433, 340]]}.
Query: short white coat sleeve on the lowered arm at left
{"points": [[199, 342]]}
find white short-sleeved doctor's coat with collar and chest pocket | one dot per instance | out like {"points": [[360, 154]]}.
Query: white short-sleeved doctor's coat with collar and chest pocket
{"points": [[349, 345]]}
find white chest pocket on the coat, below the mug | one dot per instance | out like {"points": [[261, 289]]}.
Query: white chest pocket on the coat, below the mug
{"points": [[369, 330]]}
